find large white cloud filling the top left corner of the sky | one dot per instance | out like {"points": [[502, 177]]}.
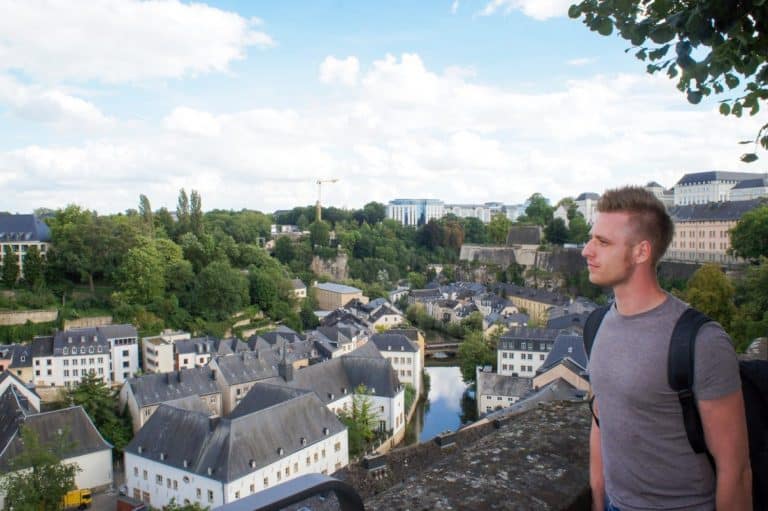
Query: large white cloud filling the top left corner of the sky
{"points": [[122, 40]]}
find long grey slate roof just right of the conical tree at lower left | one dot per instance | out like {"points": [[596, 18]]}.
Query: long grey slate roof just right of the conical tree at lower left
{"points": [[152, 389]]}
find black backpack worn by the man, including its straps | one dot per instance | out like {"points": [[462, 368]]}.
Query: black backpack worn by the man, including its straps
{"points": [[754, 386]]}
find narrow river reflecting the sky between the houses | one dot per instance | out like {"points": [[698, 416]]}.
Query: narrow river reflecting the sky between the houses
{"points": [[447, 406]]}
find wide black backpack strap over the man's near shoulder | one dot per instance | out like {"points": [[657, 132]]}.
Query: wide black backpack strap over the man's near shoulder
{"points": [[680, 372]]}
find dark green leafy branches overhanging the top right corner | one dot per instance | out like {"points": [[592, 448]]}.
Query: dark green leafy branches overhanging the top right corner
{"points": [[711, 46]]}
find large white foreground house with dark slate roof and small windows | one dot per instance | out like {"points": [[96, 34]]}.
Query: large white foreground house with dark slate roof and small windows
{"points": [[275, 434]]}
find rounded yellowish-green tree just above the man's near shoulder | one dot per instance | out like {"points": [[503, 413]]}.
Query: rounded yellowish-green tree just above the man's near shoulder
{"points": [[710, 291]]}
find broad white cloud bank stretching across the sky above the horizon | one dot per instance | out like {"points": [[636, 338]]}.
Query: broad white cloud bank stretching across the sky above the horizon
{"points": [[405, 131]]}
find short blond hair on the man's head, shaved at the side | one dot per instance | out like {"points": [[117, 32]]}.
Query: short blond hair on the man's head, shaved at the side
{"points": [[649, 219]]}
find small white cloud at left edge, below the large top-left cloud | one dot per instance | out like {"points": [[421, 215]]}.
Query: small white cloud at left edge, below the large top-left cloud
{"points": [[50, 105]]}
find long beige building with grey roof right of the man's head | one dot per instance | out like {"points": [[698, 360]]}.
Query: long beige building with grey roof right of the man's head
{"points": [[702, 231]]}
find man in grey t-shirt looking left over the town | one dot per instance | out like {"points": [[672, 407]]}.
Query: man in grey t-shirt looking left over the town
{"points": [[640, 457]]}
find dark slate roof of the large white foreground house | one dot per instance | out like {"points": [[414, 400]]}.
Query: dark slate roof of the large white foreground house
{"points": [[235, 446]]}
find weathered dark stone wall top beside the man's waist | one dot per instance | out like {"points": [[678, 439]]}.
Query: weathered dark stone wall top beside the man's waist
{"points": [[535, 461]]}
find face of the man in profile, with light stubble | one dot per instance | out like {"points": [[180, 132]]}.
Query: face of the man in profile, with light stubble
{"points": [[609, 253]]}
